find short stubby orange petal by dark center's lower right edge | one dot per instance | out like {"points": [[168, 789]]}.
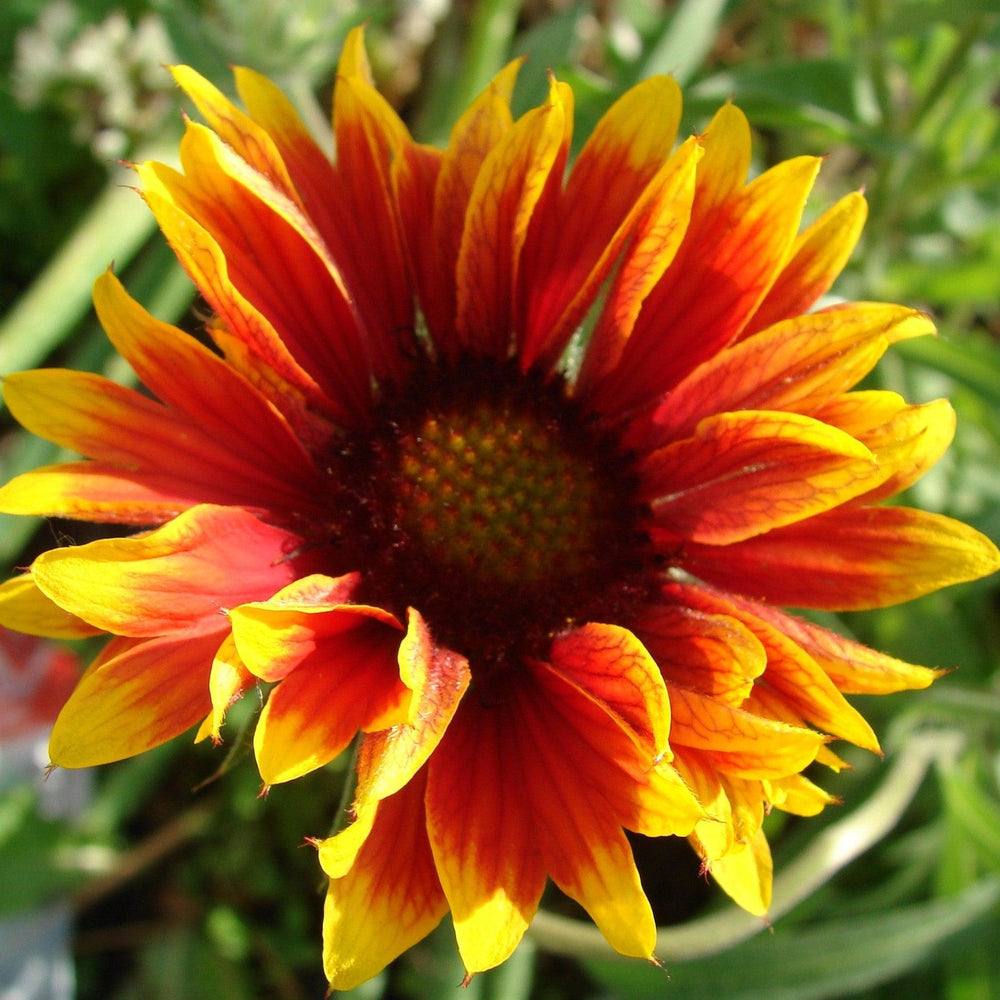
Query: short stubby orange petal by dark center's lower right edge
{"points": [[714, 654]]}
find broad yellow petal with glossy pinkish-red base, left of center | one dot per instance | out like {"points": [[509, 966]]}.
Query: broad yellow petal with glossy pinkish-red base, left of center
{"points": [[187, 572]]}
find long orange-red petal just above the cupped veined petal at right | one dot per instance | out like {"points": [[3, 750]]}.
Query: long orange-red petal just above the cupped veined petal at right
{"points": [[796, 365]]}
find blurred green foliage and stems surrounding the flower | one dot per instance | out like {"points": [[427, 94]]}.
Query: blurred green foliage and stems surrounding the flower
{"points": [[168, 876]]}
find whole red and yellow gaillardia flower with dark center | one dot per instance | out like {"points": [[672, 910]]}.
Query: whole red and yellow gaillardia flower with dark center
{"points": [[509, 467]]}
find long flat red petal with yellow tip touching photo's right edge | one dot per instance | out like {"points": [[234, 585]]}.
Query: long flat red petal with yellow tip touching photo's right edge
{"points": [[849, 559]]}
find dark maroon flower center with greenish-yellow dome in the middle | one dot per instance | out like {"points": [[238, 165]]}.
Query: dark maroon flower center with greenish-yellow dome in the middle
{"points": [[488, 501]]}
